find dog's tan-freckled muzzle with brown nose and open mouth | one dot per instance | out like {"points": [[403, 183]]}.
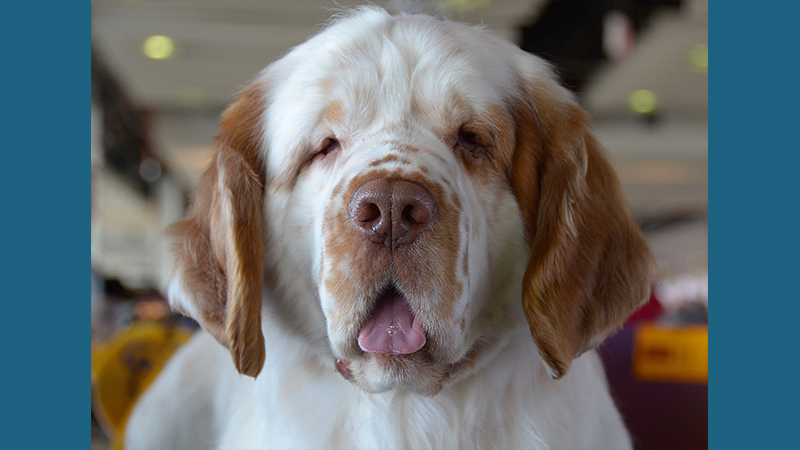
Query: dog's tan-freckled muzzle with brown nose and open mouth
{"points": [[391, 262]]}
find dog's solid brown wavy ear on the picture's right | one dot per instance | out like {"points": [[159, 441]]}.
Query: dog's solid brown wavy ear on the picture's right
{"points": [[590, 267]]}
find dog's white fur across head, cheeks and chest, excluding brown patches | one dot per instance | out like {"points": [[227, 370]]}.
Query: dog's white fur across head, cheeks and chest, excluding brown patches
{"points": [[506, 399]]}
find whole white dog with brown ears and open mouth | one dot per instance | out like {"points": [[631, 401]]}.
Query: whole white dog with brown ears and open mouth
{"points": [[409, 238]]}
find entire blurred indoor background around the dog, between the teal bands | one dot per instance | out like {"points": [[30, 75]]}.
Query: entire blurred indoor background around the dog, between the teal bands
{"points": [[162, 72]]}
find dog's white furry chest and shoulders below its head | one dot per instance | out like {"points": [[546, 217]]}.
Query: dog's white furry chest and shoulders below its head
{"points": [[202, 402]]}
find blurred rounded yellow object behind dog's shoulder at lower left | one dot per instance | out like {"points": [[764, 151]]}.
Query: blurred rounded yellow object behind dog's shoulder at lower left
{"points": [[124, 366]]}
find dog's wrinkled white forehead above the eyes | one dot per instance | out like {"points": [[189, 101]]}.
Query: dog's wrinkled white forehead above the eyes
{"points": [[364, 72]]}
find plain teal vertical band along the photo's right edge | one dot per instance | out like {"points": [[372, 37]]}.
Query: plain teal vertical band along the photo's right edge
{"points": [[753, 233]]}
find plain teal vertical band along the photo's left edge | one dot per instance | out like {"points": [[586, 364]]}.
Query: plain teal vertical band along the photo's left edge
{"points": [[45, 162]]}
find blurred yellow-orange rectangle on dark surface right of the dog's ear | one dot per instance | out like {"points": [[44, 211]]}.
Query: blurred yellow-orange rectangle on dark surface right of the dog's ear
{"points": [[677, 354]]}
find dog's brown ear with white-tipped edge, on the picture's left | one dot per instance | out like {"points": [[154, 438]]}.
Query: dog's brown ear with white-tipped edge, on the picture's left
{"points": [[219, 246]]}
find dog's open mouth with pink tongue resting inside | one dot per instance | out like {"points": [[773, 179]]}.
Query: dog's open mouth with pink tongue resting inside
{"points": [[392, 328]]}
